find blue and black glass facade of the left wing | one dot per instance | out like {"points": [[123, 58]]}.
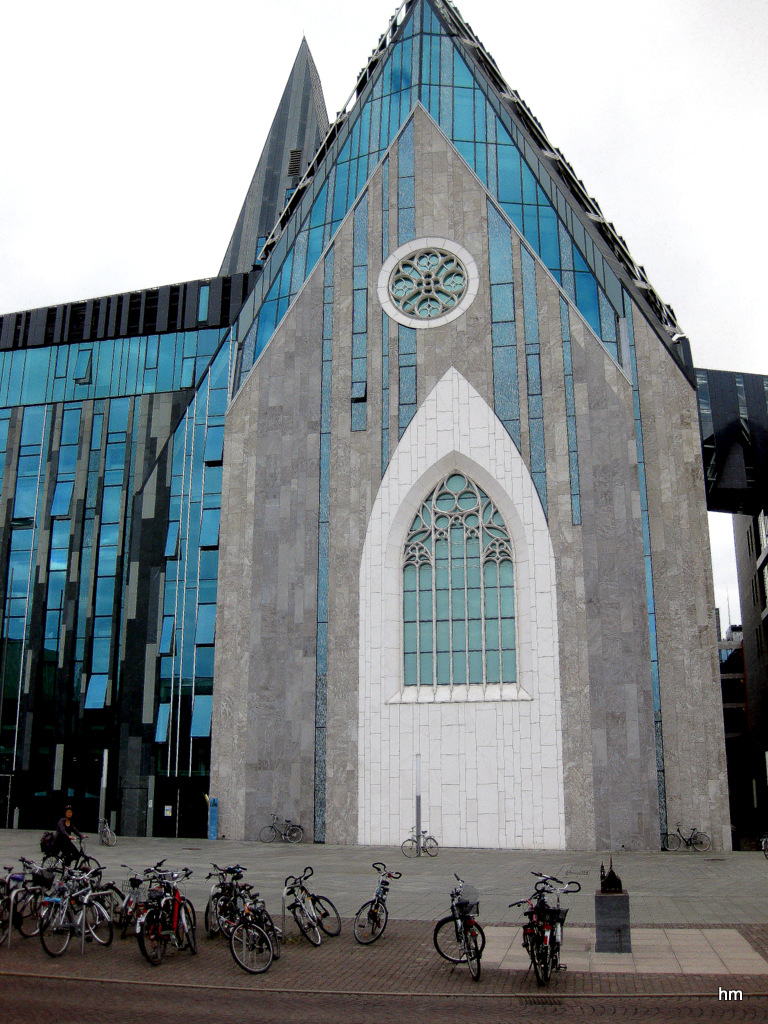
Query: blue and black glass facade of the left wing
{"points": [[84, 429]]}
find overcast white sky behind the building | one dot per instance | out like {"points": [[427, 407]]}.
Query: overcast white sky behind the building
{"points": [[132, 132]]}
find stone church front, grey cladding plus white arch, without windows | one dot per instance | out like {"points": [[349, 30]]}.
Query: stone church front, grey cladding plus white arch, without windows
{"points": [[570, 758]]}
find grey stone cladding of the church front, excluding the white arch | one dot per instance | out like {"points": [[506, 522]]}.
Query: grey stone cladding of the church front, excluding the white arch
{"points": [[264, 717]]}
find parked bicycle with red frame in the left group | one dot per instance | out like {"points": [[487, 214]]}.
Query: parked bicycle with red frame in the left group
{"points": [[169, 917]]}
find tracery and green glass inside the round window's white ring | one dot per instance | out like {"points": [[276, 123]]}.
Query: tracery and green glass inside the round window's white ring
{"points": [[429, 284]]}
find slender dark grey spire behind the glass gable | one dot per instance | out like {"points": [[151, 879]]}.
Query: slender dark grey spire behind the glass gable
{"points": [[297, 131]]}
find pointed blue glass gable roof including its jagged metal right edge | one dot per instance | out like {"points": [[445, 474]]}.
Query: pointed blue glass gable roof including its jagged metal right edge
{"points": [[431, 56]]}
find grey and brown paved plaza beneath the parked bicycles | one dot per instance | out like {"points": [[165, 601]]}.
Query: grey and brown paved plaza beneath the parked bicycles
{"points": [[700, 922]]}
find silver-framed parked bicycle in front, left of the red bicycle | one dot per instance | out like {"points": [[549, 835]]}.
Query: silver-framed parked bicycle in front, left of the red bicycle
{"points": [[73, 910]]}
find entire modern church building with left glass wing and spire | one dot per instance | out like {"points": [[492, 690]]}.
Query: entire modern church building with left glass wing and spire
{"points": [[409, 502]]}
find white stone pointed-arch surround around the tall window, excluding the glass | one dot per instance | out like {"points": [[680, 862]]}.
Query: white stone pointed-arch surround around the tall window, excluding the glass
{"points": [[491, 770]]}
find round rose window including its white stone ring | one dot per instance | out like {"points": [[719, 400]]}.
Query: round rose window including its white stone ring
{"points": [[428, 283]]}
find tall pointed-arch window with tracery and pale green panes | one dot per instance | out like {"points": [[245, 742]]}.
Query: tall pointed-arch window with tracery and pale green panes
{"points": [[458, 591]]}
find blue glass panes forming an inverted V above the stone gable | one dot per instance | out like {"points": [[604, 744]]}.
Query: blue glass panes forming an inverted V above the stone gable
{"points": [[425, 64]]}
